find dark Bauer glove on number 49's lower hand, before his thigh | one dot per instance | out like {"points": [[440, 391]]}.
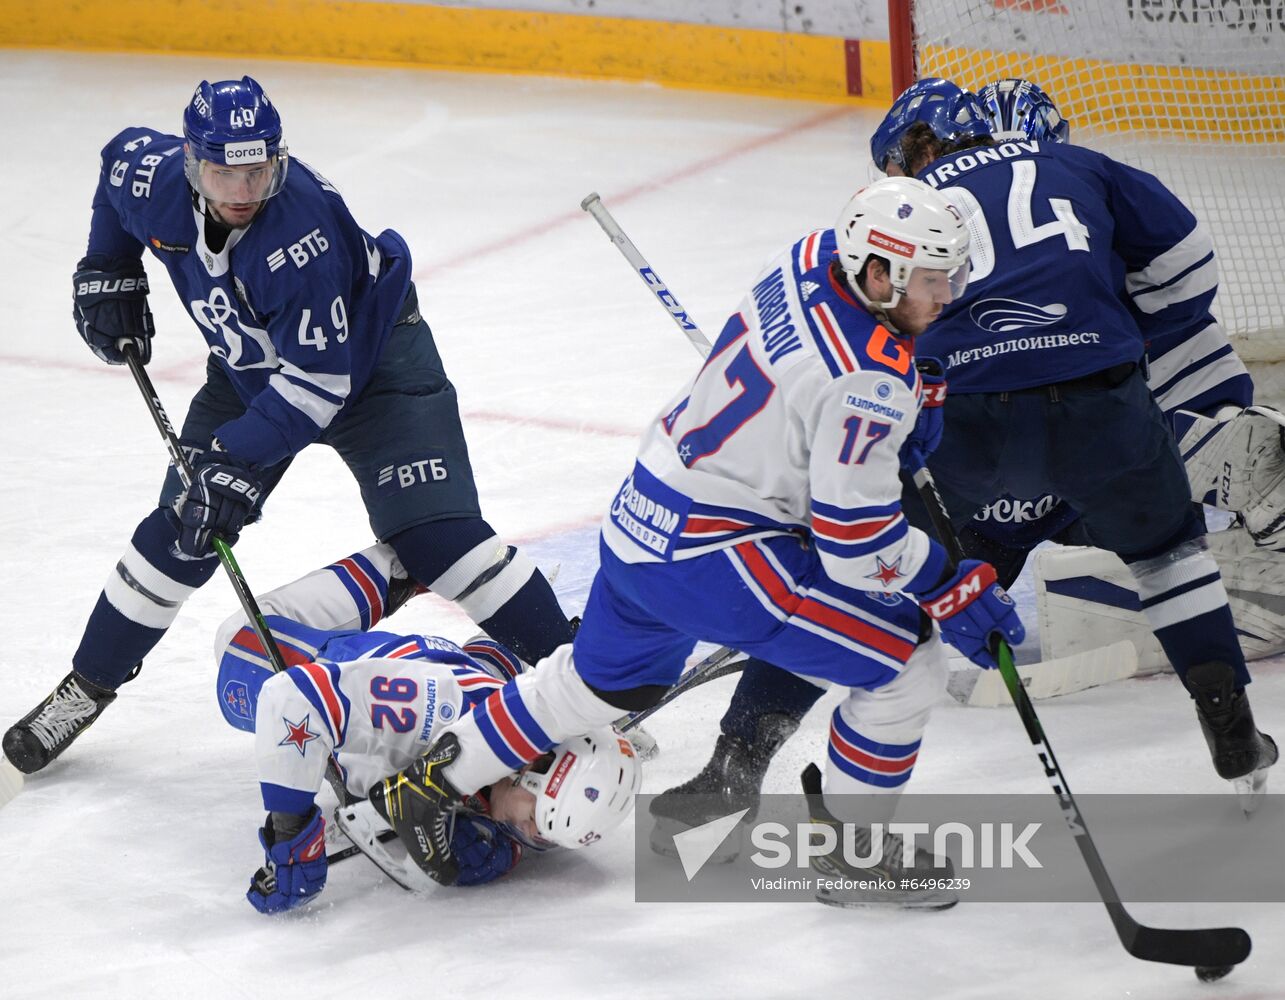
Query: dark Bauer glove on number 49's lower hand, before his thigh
{"points": [[224, 497]]}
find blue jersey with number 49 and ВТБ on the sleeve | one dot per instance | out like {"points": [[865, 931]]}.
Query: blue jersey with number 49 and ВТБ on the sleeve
{"points": [[296, 308]]}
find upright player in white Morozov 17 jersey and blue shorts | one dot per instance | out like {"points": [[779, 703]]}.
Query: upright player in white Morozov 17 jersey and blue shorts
{"points": [[764, 513]]}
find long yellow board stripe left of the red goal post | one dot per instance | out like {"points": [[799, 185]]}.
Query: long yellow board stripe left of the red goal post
{"points": [[686, 56]]}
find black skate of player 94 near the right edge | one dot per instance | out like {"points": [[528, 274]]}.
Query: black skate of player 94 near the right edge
{"points": [[1241, 753]]}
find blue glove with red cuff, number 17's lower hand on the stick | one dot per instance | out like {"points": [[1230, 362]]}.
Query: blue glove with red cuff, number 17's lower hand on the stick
{"points": [[975, 612]]}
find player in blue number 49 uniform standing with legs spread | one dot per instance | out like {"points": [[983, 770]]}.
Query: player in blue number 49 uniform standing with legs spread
{"points": [[315, 335]]}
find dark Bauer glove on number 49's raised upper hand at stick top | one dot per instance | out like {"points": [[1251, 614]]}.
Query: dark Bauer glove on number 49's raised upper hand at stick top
{"points": [[110, 305]]}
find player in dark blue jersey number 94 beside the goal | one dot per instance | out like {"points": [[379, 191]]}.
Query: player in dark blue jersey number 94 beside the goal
{"points": [[1045, 359]]}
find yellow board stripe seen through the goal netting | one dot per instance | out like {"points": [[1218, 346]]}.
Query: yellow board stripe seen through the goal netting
{"points": [[1162, 101]]}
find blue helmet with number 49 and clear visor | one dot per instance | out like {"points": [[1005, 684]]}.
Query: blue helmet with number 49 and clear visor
{"points": [[235, 148]]}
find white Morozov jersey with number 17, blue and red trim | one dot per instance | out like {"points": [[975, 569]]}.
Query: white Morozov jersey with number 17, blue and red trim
{"points": [[793, 426]]}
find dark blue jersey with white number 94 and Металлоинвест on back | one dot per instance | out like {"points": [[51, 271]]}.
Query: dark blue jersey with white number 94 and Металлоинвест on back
{"points": [[1074, 255]]}
